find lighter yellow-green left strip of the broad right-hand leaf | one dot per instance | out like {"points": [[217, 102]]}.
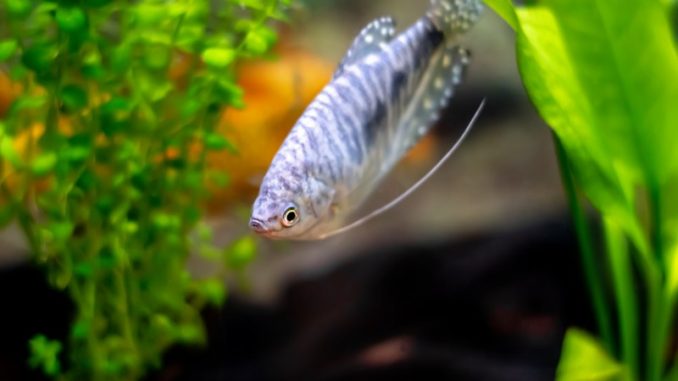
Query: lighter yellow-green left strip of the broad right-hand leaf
{"points": [[550, 76]]}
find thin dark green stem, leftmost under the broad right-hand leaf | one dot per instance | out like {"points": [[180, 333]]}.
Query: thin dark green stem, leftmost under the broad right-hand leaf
{"points": [[591, 271]]}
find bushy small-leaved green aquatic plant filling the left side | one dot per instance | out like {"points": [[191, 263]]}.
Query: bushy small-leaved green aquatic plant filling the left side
{"points": [[102, 164]]}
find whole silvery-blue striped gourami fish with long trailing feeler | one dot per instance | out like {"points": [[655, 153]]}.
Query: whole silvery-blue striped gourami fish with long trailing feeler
{"points": [[384, 96]]}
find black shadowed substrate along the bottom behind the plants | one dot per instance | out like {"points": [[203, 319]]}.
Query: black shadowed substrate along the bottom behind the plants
{"points": [[490, 307]]}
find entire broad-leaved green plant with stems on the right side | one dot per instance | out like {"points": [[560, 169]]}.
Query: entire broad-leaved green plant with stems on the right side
{"points": [[604, 75]]}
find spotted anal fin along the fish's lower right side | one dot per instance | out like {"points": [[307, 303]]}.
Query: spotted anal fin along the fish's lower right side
{"points": [[443, 75]]}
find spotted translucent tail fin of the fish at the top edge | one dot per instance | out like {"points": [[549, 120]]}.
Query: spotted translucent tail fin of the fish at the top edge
{"points": [[454, 17]]}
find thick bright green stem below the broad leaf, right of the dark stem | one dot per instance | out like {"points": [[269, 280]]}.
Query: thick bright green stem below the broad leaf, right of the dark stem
{"points": [[627, 305]]}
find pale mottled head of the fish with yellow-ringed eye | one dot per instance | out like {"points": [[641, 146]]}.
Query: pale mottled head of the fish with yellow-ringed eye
{"points": [[290, 211]]}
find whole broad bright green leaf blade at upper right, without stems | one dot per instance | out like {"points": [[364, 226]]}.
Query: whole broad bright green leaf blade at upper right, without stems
{"points": [[604, 75]]}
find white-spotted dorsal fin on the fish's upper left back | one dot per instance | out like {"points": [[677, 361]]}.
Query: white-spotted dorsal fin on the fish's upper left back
{"points": [[369, 40]]}
